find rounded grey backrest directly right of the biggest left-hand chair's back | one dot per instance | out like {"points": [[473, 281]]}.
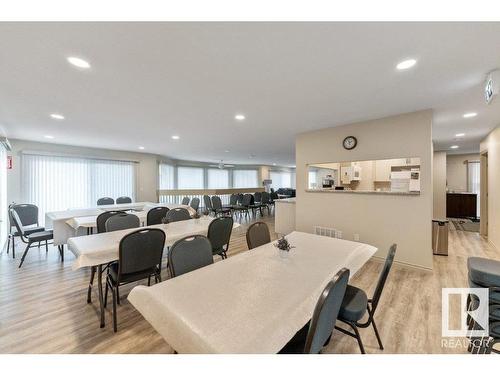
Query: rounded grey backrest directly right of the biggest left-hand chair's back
{"points": [[189, 254]]}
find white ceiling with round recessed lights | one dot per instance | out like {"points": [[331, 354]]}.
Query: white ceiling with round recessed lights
{"points": [[149, 81]]}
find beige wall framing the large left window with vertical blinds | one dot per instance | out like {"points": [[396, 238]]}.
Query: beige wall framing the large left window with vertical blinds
{"points": [[147, 169]]}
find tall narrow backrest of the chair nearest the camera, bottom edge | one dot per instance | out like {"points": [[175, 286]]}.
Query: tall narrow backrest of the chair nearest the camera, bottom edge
{"points": [[326, 312]]}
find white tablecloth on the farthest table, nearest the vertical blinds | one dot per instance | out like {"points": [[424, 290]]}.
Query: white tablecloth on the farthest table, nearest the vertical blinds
{"points": [[58, 220]]}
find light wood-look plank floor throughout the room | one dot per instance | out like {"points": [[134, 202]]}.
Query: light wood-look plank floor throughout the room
{"points": [[43, 305]]}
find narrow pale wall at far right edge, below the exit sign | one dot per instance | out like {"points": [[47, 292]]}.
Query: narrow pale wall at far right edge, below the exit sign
{"points": [[491, 145]]}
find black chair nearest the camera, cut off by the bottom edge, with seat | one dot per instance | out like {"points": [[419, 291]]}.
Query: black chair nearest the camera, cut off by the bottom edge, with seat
{"points": [[315, 335]]}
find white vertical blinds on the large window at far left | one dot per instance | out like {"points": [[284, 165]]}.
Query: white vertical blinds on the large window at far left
{"points": [[58, 182]]}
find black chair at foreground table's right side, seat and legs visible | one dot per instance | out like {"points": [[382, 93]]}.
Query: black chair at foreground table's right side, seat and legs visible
{"points": [[356, 304]]}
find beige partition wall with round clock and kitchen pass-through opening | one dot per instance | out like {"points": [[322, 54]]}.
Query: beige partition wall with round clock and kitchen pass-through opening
{"points": [[380, 220]]}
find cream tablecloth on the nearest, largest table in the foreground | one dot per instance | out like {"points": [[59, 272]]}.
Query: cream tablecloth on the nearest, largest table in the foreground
{"points": [[250, 303]]}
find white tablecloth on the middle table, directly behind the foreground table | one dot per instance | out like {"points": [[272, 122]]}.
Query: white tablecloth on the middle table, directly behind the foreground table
{"points": [[102, 248]]}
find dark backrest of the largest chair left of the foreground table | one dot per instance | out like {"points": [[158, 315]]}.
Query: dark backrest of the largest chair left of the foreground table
{"points": [[140, 251]]}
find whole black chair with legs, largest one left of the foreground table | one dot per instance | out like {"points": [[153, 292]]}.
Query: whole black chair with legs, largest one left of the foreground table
{"points": [[139, 257]]}
